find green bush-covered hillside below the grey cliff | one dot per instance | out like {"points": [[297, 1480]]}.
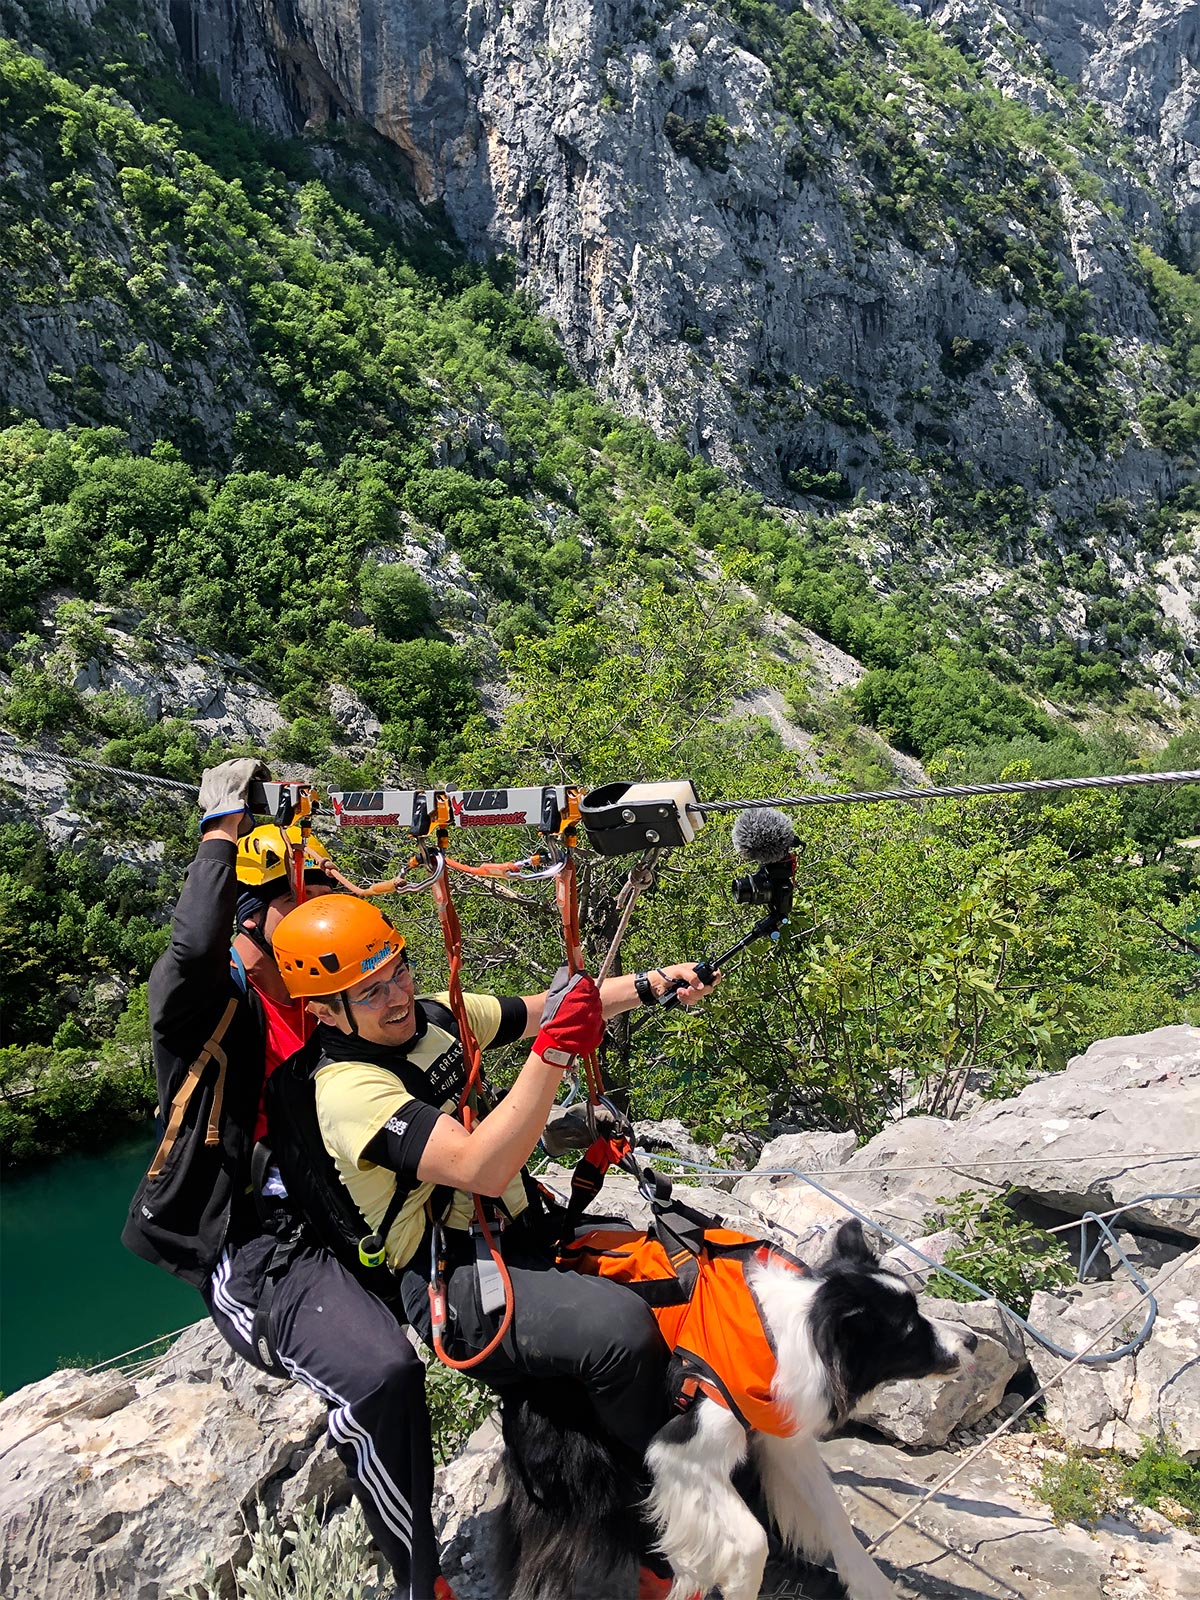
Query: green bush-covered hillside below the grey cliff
{"points": [[284, 466]]}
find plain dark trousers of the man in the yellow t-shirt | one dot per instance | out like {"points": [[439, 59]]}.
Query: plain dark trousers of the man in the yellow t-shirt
{"points": [[564, 1326]]}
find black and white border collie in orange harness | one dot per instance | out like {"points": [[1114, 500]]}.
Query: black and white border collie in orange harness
{"points": [[570, 1522]]}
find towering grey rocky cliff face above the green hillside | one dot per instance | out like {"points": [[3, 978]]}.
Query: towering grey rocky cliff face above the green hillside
{"points": [[718, 263]]}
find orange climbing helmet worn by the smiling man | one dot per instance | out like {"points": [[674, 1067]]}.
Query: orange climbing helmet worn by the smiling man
{"points": [[329, 945]]}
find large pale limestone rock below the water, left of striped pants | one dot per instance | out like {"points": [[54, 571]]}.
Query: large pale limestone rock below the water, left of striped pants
{"points": [[119, 1487]]}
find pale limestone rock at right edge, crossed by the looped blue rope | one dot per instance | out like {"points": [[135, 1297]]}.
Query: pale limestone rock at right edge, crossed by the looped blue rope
{"points": [[1154, 1391]]}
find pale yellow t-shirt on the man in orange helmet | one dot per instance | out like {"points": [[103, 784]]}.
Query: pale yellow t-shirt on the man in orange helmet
{"points": [[354, 1102]]}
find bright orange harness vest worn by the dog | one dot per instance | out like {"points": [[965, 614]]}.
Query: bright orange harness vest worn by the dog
{"points": [[694, 1276]]}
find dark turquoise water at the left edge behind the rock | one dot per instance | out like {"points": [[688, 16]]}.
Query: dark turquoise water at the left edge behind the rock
{"points": [[71, 1295]]}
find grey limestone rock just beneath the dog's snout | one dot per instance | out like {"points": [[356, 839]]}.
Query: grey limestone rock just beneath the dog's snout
{"points": [[927, 1412]]}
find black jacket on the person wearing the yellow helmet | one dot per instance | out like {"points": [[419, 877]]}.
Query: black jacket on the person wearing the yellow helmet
{"points": [[198, 1193]]}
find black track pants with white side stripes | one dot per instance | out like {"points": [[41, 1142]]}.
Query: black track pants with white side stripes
{"points": [[345, 1345]]}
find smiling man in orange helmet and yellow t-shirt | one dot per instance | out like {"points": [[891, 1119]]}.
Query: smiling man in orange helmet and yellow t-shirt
{"points": [[390, 1078]]}
